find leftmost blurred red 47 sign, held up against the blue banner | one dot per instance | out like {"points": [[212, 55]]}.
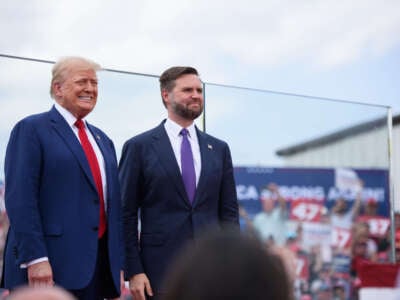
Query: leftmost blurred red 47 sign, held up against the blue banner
{"points": [[304, 210]]}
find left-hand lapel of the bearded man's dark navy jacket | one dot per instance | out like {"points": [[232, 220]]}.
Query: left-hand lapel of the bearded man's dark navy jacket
{"points": [[162, 146]]}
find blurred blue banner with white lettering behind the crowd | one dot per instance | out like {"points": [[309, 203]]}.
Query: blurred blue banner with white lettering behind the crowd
{"points": [[311, 192]]}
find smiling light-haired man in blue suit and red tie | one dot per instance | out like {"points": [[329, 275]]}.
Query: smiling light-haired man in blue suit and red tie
{"points": [[62, 194]]}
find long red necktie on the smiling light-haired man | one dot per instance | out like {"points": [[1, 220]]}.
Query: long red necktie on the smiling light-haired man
{"points": [[94, 167]]}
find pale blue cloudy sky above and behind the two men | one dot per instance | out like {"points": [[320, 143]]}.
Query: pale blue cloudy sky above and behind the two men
{"points": [[336, 49]]}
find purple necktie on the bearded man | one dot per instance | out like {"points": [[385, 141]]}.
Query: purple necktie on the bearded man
{"points": [[188, 173]]}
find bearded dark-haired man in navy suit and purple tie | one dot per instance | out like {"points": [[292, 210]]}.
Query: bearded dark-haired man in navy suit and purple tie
{"points": [[177, 180]]}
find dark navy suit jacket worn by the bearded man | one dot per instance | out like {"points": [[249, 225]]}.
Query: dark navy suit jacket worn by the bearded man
{"points": [[152, 183]]}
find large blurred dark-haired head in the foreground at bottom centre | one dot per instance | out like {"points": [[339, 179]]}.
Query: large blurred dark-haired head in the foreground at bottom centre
{"points": [[227, 265]]}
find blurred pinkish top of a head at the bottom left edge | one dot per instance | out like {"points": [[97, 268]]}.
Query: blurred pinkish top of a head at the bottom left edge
{"points": [[40, 293]]}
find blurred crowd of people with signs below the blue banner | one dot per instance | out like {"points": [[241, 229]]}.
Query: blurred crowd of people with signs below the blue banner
{"points": [[329, 266]]}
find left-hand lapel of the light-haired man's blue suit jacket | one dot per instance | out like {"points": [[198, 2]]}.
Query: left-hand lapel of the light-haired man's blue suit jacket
{"points": [[70, 139]]}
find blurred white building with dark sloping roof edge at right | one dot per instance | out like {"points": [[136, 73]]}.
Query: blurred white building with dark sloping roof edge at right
{"points": [[361, 146]]}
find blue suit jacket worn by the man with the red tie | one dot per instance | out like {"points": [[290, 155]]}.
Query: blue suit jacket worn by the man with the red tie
{"points": [[53, 205]]}
